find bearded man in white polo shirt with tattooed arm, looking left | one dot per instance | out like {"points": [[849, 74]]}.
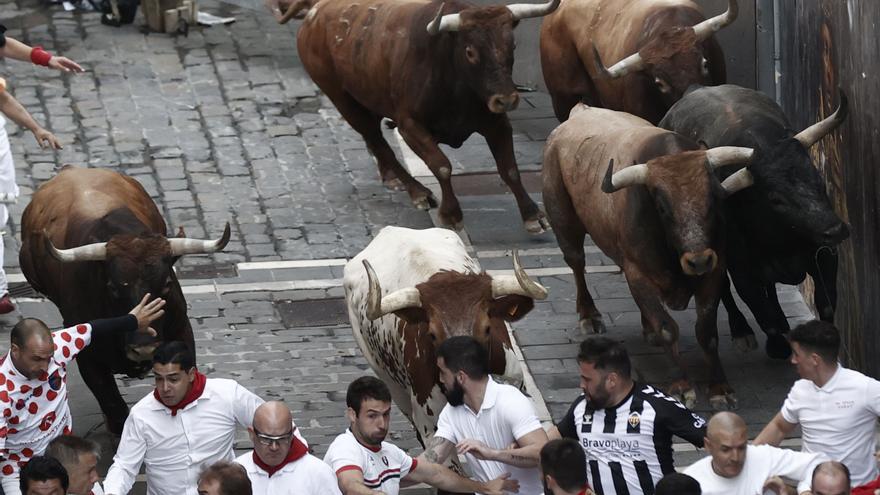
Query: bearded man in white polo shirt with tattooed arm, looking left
{"points": [[483, 418]]}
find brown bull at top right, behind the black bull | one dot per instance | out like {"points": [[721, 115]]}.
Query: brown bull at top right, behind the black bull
{"points": [[658, 47]]}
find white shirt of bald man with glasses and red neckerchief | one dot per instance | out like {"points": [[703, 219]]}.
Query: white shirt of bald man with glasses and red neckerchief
{"points": [[304, 476]]}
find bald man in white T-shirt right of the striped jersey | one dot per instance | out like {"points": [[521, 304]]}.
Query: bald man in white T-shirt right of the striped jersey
{"points": [[737, 468]]}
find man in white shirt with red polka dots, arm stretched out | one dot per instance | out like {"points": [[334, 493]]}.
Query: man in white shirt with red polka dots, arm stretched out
{"points": [[33, 377]]}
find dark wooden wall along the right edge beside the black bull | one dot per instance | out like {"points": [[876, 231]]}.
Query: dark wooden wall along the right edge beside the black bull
{"points": [[826, 44]]}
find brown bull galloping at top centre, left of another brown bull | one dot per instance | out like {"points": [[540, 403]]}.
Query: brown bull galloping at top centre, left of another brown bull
{"points": [[440, 71]]}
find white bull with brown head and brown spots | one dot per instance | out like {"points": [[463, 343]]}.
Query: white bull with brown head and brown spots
{"points": [[410, 290]]}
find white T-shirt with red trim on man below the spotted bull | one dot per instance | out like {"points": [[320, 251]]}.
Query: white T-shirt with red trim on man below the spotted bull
{"points": [[382, 467]]}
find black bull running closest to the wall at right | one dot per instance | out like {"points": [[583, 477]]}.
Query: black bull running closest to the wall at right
{"points": [[783, 227]]}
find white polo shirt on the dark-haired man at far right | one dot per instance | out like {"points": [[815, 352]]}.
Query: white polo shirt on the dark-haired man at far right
{"points": [[838, 419]]}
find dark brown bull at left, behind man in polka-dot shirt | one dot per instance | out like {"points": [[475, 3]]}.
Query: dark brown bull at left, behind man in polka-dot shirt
{"points": [[94, 243]]}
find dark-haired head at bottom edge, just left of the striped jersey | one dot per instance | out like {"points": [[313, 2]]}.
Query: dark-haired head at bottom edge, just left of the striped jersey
{"points": [[562, 468]]}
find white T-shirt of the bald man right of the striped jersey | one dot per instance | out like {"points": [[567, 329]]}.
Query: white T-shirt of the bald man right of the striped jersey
{"points": [[762, 462]]}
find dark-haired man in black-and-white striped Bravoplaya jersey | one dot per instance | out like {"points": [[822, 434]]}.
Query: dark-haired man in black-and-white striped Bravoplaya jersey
{"points": [[624, 427]]}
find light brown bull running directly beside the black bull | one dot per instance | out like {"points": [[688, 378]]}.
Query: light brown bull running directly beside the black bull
{"points": [[663, 228]]}
